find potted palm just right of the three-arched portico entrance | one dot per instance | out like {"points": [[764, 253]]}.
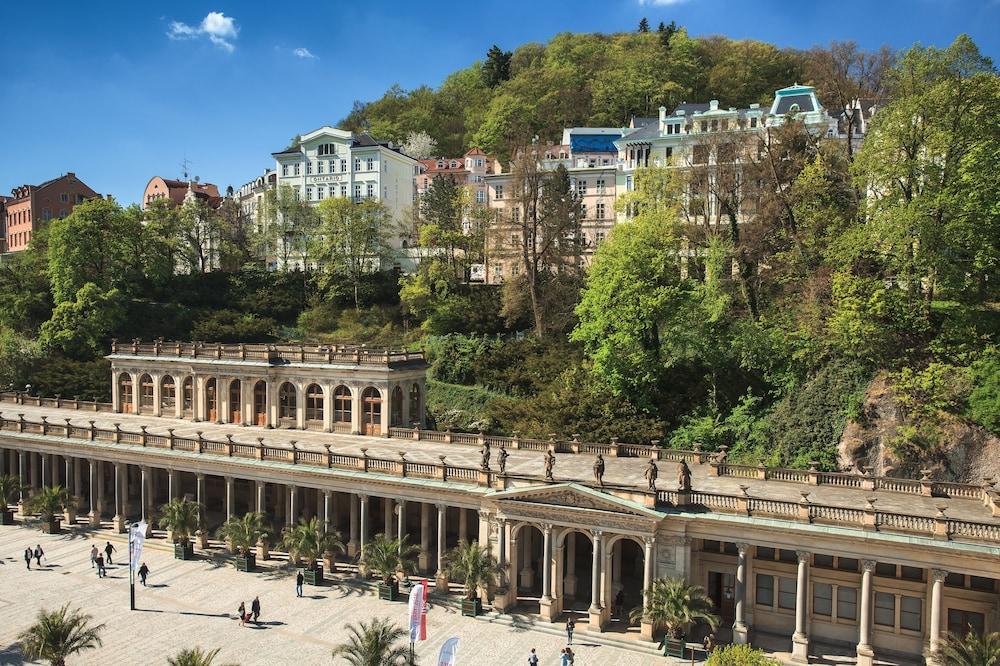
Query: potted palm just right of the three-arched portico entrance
{"points": [[674, 606]]}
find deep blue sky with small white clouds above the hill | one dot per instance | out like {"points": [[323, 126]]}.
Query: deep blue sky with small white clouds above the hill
{"points": [[121, 91]]}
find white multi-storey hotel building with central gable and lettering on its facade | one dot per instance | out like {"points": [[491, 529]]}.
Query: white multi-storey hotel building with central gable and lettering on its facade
{"points": [[330, 162]]}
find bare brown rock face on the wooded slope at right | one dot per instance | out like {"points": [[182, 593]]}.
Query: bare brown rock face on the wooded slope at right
{"points": [[967, 453]]}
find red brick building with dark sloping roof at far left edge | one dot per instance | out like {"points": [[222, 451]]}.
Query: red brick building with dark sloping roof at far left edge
{"points": [[30, 205]]}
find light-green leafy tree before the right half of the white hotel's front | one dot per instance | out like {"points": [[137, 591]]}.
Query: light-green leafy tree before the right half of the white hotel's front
{"points": [[352, 242]]}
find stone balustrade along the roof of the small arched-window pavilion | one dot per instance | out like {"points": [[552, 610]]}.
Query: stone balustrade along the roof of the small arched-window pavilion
{"points": [[322, 354]]}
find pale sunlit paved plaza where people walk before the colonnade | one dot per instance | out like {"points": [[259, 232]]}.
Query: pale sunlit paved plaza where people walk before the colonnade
{"points": [[194, 603]]}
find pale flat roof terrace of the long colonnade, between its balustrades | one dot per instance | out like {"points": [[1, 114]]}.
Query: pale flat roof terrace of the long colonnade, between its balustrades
{"points": [[569, 467]]}
